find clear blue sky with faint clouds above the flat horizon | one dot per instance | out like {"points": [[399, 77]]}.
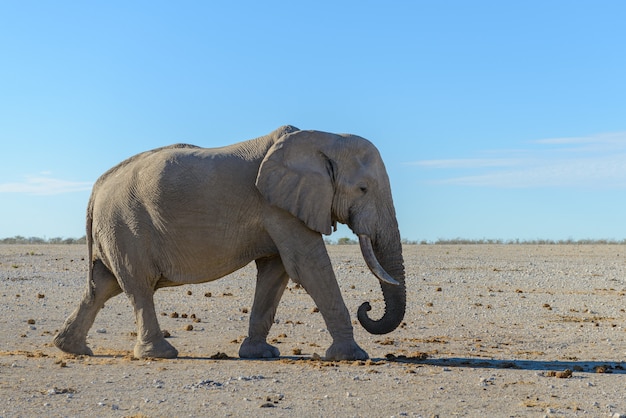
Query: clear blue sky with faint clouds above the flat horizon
{"points": [[495, 119]]}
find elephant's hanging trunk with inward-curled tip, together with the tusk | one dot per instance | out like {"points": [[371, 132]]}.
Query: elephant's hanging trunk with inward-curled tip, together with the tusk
{"points": [[385, 261]]}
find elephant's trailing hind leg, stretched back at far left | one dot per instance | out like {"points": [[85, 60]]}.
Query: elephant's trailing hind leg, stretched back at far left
{"points": [[72, 338]]}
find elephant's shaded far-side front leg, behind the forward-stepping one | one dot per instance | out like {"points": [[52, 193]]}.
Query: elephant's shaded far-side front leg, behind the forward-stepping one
{"points": [[271, 282]]}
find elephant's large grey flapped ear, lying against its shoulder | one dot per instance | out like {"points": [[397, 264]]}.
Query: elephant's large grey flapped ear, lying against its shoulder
{"points": [[298, 177]]}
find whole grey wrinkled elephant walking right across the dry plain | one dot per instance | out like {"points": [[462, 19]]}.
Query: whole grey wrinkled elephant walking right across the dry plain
{"points": [[184, 214]]}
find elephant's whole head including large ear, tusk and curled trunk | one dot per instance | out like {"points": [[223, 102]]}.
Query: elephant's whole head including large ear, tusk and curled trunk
{"points": [[324, 178]]}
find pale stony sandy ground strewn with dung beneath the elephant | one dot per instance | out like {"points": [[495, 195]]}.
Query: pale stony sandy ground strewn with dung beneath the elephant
{"points": [[515, 330]]}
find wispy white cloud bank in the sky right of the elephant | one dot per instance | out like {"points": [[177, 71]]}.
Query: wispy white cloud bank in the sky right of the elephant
{"points": [[597, 161]]}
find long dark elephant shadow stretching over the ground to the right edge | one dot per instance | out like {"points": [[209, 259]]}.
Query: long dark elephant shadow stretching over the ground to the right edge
{"points": [[539, 365]]}
